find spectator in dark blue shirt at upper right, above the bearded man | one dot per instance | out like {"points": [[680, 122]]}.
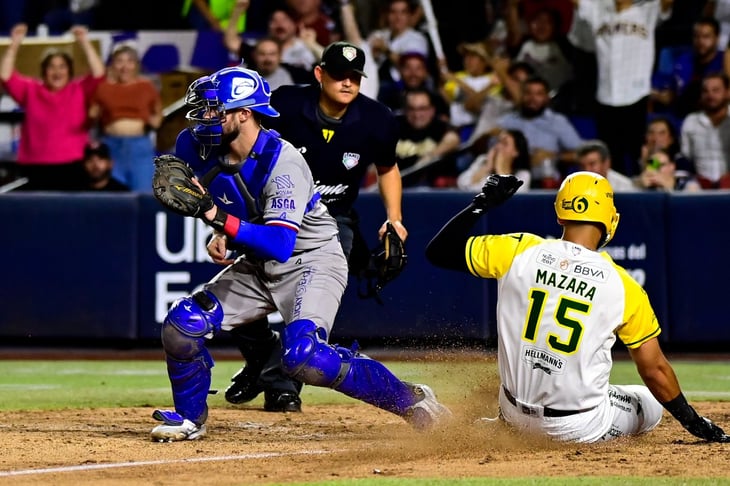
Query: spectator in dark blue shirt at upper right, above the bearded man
{"points": [[679, 92]]}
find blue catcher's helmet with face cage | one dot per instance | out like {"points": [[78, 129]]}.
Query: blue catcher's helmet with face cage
{"points": [[225, 90]]}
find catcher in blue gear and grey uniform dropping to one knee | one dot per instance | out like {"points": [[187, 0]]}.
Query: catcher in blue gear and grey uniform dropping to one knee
{"points": [[257, 193]]}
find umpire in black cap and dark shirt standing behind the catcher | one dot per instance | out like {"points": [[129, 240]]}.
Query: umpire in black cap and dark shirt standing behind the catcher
{"points": [[341, 133]]}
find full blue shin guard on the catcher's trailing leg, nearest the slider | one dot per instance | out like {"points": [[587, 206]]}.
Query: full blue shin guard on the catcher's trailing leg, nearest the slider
{"points": [[308, 358]]}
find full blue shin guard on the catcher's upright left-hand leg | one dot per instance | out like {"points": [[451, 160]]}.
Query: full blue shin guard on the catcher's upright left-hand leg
{"points": [[189, 321]]}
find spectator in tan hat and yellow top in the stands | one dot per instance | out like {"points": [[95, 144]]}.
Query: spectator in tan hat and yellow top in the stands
{"points": [[466, 90]]}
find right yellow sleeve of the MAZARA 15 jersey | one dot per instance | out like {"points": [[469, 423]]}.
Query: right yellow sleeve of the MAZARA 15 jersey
{"points": [[640, 321]]}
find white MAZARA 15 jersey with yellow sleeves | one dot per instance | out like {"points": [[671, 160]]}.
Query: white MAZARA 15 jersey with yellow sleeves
{"points": [[559, 310]]}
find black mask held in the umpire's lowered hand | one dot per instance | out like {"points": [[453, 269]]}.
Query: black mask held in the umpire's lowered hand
{"points": [[386, 263]]}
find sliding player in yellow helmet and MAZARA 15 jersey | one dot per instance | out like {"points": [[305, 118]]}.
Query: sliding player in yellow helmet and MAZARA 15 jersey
{"points": [[561, 306]]}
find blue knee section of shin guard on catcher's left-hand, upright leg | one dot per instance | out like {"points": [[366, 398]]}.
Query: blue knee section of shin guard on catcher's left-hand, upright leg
{"points": [[189, 321]]}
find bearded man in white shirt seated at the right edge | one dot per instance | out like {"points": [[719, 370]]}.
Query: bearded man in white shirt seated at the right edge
{"points": [[705, 134]]}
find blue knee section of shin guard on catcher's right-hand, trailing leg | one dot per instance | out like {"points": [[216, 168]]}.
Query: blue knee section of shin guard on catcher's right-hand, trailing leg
{"points": [[308, 358]]}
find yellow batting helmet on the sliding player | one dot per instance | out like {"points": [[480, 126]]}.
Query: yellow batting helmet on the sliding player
{"points": [[587, 196]]}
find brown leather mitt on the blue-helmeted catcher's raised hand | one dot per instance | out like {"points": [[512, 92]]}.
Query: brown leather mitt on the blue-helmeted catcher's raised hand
{"points": [[173, 186]]}
